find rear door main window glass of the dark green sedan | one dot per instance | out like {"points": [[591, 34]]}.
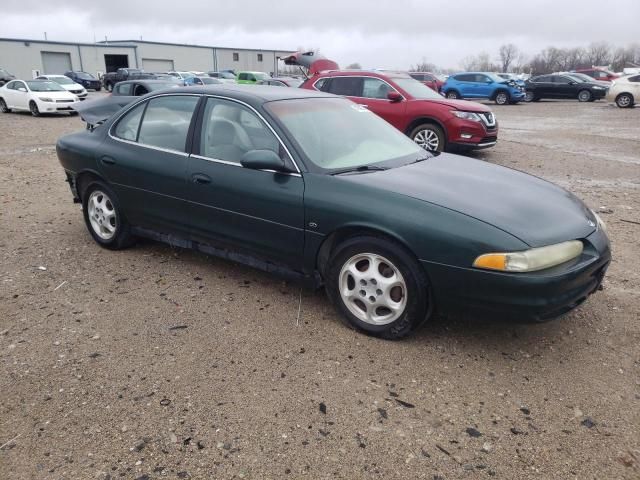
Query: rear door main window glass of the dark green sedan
{"points": [[166, 122]]}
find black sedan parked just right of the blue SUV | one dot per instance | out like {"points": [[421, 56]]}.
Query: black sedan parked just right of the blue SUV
{"points": [[562, 86]]}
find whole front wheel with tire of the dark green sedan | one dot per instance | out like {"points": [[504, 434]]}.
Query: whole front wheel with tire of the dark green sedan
{"points": [[378, 287]]}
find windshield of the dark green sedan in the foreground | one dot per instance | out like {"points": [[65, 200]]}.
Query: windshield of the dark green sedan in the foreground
{"points": [[337, 134]]}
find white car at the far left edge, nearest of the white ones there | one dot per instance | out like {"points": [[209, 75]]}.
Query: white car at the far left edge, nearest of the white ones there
{"points": [[37, 97]]}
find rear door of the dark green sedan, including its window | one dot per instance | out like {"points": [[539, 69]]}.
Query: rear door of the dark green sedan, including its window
{"points": [[144, 158]]}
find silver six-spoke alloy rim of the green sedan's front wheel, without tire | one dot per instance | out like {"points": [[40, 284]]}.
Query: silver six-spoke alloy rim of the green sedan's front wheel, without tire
{"points": [[373, 289]]}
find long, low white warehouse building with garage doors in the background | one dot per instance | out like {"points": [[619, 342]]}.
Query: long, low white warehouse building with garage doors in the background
{"points": [[24, 58]]}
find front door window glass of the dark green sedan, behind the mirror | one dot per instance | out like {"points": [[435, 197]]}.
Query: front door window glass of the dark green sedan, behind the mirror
{"points": [[229, 130]]}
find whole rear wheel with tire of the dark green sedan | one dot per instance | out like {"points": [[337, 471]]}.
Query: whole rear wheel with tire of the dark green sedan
{"points": [[104, 218]]}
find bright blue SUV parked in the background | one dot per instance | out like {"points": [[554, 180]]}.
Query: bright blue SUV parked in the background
{"points": [[475, 85]]}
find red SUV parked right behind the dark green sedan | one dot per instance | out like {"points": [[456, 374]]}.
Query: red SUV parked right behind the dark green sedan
{"points": [[432, 121]]}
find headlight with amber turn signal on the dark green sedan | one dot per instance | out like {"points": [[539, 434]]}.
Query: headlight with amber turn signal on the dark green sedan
{"points": [[531, 260]]}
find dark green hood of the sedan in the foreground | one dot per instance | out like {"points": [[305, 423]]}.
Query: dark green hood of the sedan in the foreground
{"points": [[535, 211]]}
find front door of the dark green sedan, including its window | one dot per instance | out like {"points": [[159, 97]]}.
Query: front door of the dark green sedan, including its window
{"points": [[255, 211]]}
